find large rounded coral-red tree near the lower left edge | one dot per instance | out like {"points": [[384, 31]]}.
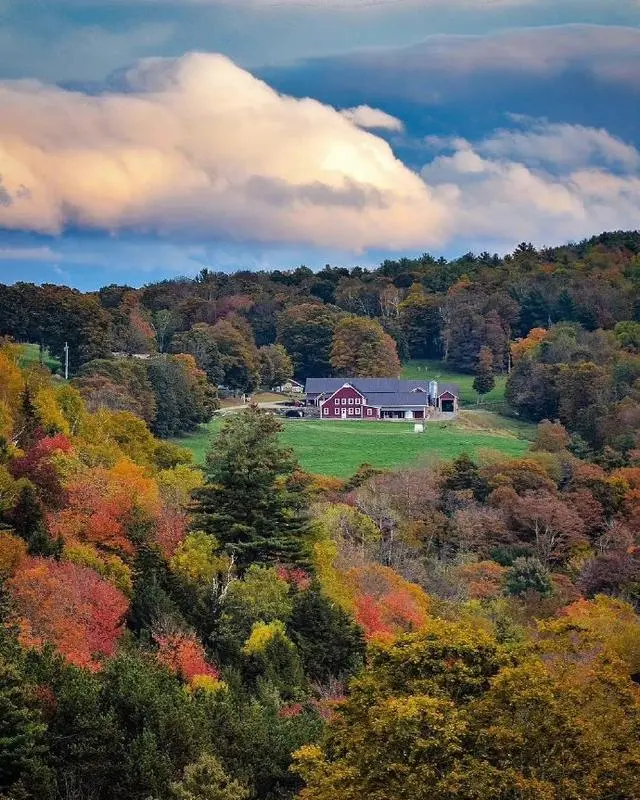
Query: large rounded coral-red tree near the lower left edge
{"points": [[68, 606]]}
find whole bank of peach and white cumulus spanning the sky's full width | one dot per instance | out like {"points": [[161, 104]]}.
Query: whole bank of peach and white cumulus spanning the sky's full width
{"points": [[197, 150]]}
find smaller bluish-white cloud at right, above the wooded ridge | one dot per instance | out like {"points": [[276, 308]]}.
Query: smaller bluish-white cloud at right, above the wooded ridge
{"points": [[547, 184]]}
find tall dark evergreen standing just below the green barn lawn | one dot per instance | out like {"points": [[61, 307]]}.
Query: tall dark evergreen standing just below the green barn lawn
{"points": [[252, 502]]}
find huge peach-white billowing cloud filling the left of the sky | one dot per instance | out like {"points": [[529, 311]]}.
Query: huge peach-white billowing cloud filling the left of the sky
{"points": [[197, 146]]}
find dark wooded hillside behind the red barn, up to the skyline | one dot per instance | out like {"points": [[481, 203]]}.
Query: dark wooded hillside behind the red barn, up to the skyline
{"points": [[564, 322]]}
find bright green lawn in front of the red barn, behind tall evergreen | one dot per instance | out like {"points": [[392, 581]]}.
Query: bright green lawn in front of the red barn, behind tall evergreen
{"points": [[339, 448]]}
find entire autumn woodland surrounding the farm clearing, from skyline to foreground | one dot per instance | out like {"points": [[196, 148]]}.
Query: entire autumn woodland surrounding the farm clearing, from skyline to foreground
{"points": [[465, 631]]}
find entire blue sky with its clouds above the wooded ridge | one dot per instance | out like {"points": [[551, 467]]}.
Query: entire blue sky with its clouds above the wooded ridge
{"points": [[145, 139]]}
